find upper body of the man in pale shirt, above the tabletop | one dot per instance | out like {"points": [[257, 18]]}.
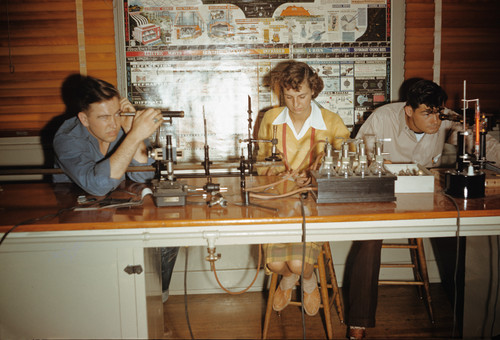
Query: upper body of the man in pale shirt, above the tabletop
{"points": [[416, 132]]}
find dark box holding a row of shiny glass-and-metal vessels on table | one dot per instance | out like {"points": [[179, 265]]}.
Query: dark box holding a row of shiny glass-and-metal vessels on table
{"points": [[358, 176]]}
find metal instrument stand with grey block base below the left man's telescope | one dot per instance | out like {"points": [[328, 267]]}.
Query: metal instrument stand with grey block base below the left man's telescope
{"points": [[167, 190]]}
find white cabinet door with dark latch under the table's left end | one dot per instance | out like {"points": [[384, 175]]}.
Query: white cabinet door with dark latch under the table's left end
{"points": [[77, 291]]}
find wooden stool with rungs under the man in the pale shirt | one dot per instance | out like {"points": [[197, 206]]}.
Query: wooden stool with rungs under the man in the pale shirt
{"points": [[419, 266]]}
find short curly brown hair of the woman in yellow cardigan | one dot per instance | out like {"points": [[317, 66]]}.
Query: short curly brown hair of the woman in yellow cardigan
{"points": [[291, 74]]}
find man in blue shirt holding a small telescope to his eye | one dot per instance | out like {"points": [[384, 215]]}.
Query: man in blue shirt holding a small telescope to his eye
{"points": [[95, 148]]}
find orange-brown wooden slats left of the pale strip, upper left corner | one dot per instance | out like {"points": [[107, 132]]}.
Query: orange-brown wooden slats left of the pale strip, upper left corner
{"points": [[41, 39]]}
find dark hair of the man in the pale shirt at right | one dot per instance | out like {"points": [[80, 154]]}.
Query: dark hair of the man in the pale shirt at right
{"points": [[426, 92]]}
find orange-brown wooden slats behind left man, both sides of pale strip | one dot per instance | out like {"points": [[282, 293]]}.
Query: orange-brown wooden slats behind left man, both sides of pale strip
{"points": [[44, 52]]}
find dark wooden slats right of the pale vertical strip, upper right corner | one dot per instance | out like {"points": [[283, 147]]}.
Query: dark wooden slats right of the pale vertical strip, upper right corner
{"points": [[470, 51]]}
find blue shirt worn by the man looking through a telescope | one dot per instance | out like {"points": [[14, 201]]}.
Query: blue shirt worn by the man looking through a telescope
{"points": [[77, 154]]}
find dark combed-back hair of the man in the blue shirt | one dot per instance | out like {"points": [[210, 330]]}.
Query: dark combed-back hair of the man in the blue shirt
{"points": [[79, 92]]}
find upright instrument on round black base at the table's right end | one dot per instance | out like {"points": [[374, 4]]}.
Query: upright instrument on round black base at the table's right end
{"points": [[468, 179]]}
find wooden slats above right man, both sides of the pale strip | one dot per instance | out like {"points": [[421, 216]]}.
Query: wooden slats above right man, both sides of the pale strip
{"points": [[470, 46]]}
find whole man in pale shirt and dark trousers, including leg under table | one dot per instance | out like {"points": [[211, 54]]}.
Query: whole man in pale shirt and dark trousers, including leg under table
{"points": [[417, 135]]}
